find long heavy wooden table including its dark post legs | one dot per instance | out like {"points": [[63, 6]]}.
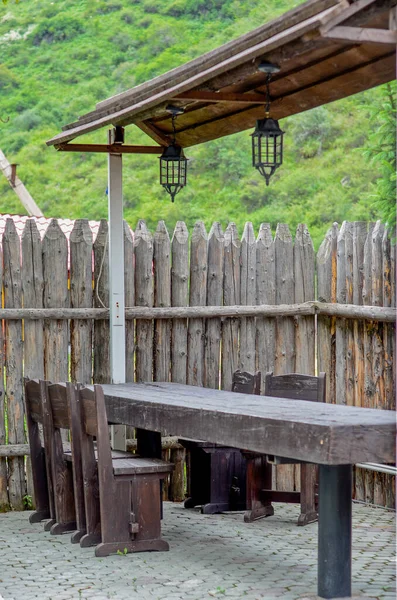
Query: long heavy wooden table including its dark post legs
{"points": [[335, 437]]}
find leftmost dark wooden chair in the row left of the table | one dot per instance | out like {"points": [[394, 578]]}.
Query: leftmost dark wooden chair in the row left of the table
{"points": [[41, 471]]}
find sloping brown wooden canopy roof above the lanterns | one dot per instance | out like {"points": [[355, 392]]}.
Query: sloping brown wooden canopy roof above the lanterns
{"points": [[326, 50]]}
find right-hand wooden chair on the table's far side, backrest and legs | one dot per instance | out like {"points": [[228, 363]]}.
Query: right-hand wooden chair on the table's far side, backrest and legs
{"points": [[296, 387]]}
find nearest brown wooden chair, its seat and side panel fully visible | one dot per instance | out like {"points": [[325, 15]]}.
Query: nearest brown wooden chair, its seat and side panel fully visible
{"points": [[122, 497]]}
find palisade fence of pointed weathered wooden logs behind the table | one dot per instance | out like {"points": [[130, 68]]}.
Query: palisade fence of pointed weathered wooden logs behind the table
{"points": [[55, 321]]}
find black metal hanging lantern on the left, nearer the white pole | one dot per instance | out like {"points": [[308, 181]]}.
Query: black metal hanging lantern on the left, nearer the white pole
{"points": [[173, 163]]}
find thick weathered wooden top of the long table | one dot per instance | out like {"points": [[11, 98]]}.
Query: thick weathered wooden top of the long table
{"points": [[308, 431]]}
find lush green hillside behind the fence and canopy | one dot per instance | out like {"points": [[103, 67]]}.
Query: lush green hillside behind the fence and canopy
{"points": [[59, 58]]}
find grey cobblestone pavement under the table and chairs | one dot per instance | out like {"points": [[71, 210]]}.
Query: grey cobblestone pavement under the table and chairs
{"points": [[217, 556]]}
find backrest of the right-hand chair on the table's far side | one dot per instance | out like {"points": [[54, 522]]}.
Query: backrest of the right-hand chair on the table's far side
{"points": [[296, 386]]}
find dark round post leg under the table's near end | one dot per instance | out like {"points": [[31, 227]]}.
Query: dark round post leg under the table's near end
{"points": [[335, 531]]}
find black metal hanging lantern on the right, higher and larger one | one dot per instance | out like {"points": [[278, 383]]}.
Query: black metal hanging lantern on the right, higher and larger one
{"points": [[267, 139]]}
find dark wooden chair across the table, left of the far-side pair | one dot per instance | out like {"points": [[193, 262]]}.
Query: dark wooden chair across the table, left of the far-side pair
{"points": [[218, 473]]}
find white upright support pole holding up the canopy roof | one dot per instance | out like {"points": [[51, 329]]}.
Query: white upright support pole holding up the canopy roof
{"points": [[116, 283]]}
